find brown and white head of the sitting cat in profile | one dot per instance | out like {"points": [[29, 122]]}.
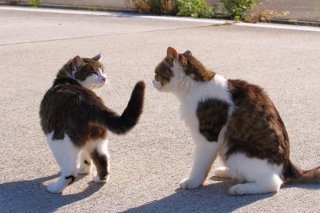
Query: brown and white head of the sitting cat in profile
{"points": [[177, 70]]}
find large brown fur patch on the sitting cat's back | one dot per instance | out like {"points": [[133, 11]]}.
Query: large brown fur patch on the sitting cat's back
{"points": [[255, 120]]}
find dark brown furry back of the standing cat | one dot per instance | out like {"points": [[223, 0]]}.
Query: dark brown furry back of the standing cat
{"points": [[67, 104]]}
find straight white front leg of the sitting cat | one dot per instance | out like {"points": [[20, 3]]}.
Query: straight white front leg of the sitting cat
{"points": [[204, 155]]}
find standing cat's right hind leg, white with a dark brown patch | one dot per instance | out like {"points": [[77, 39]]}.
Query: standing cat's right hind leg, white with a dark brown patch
{"points": [[100, 158]]}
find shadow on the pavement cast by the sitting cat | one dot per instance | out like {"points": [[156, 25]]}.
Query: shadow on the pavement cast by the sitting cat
{"points": [[209, 198]]}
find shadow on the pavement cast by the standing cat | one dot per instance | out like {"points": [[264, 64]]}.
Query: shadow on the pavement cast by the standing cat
{"points": [[32, 196]]}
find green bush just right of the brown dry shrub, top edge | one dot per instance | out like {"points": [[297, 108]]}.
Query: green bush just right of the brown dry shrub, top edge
{"points": [[194, 8]]}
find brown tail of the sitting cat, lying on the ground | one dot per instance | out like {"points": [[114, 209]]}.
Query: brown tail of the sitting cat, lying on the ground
{"points": [[294, 174]]}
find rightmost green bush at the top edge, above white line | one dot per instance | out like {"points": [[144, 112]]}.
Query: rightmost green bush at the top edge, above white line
{"points": [[237, 8]]}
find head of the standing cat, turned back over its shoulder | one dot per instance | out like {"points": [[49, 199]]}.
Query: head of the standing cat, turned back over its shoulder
{"points": [[89, 72]]}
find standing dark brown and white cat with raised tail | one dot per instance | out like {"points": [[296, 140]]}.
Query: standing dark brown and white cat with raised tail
{"points": [[75, 120]]}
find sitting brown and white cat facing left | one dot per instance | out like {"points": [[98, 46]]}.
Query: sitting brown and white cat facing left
{"points": [[234, 120]]}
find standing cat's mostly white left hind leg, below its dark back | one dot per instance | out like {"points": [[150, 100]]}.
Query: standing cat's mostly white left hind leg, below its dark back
{"points": [[65, 154]]}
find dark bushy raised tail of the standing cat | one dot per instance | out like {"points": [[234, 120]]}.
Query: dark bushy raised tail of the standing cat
{"points": [[130, 116]]}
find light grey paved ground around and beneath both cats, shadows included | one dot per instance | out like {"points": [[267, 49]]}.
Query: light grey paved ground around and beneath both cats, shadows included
{"points": [[149, 162]]}
